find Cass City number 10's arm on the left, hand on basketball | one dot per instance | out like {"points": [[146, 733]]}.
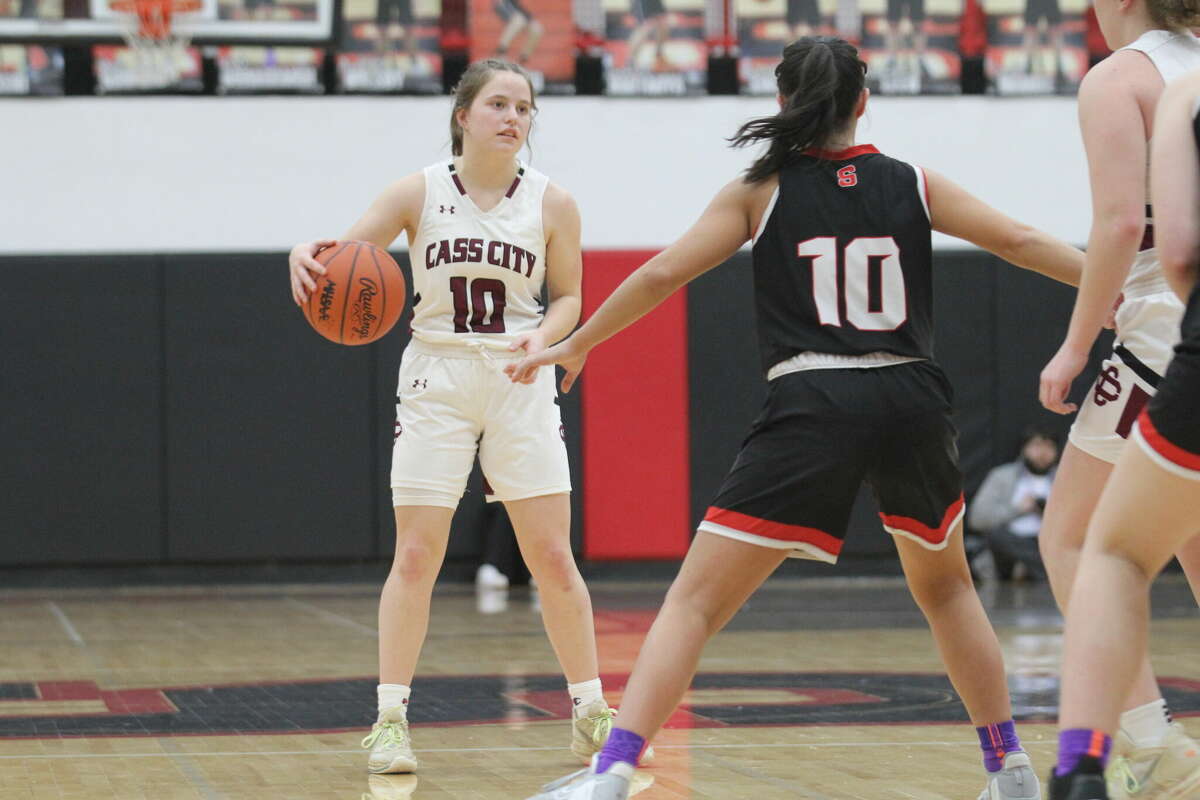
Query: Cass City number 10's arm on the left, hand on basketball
{"points": [[399, 208]]}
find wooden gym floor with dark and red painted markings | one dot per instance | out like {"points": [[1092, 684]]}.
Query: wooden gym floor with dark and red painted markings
{"points": [[820, 689]]}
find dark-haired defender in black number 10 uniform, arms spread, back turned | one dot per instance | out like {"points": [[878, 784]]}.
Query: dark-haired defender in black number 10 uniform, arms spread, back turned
{"points": [[843, 278]]}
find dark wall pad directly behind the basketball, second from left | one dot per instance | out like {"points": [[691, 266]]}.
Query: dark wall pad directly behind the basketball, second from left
{"points": [[269, 426]]}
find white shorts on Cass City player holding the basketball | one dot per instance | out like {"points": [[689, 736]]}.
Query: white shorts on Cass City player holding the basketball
{"points": [[452, 404]]}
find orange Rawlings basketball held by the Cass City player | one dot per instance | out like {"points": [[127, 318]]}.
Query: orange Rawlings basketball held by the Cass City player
{"points": [[361, 297]]}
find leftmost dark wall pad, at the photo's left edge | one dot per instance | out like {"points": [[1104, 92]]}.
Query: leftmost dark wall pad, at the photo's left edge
{"points": [[81, 419]]}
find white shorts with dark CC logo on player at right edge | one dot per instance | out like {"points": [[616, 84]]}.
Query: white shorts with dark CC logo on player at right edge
{"points": [[1148, 332]]}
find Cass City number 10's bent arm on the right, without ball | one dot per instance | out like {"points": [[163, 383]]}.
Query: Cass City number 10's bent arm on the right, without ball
{"points": [[565, 275]]}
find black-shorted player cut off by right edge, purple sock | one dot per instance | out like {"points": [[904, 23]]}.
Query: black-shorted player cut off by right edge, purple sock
{"points": [[1147, 513]]}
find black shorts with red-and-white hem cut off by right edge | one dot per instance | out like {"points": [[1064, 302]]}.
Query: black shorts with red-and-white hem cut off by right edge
{"points": [[1169, 429]]}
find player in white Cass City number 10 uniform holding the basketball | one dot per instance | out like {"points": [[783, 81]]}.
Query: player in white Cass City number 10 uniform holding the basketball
{"points": [[485, 233]]}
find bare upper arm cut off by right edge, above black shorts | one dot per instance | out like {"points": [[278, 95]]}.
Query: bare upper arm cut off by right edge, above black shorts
{"points": [[1175, 185]]}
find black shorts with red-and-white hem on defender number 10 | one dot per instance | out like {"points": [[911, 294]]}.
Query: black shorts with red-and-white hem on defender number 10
{"points": [[820, 436]]}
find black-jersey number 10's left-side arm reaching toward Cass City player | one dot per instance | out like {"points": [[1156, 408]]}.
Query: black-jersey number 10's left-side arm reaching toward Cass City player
{"points": [[716, 237]]}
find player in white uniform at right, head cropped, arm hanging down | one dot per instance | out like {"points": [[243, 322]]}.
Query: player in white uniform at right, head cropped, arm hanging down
{"points": [[1117, 110]]}
